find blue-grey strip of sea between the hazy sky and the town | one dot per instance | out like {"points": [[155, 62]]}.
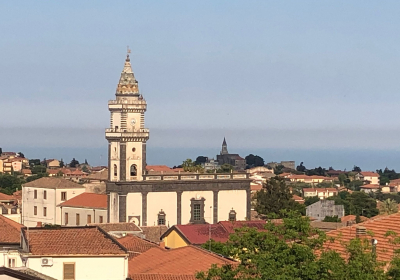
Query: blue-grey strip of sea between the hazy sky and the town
{"points": [[366, 159]]}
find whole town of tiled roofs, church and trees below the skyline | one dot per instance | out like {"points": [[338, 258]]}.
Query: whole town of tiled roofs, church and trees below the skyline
{"points": [[201, 219]]}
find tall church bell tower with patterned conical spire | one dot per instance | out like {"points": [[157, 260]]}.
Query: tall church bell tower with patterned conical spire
{"points": [[127, 136]]}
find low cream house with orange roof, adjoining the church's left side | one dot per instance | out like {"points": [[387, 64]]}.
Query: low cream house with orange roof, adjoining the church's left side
{"points": [[84, 209]]}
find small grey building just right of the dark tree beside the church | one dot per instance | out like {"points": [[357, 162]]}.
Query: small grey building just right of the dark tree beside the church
{"points": [[323, 208]]}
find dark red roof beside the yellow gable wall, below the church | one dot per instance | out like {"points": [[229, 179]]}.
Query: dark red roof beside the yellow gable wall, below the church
{"points": [[198, 234]]}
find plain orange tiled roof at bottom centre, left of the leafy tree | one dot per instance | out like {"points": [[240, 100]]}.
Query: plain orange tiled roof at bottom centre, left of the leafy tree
{"points": [[181, 261]]}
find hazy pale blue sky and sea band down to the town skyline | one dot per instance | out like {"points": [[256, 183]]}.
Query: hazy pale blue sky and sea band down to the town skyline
{"points": [[313, 81]]}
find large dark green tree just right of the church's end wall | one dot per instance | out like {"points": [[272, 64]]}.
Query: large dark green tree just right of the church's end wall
{"points": [[274, 197]]}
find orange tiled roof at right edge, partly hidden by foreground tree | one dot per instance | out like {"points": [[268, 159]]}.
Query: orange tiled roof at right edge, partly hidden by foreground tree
{"points": [[378, 226]]}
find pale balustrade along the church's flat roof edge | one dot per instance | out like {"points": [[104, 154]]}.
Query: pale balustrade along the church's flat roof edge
{"points": [[193, 177]]}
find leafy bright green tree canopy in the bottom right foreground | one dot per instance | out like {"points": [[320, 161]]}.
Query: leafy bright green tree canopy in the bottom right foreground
{"points": [[285, 251]]}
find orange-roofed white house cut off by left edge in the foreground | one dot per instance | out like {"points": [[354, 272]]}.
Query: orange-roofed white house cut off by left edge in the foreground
{"points": [[10, 237]]}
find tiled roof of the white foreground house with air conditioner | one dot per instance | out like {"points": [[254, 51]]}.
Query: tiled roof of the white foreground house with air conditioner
{"points": [[65, 241]]}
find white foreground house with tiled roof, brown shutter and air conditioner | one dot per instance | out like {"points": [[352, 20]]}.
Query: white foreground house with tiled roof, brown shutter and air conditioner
{"points": [[74, 253]]}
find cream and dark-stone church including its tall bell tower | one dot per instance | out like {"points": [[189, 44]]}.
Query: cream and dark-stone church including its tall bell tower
{"points": [[162, 199]]}
